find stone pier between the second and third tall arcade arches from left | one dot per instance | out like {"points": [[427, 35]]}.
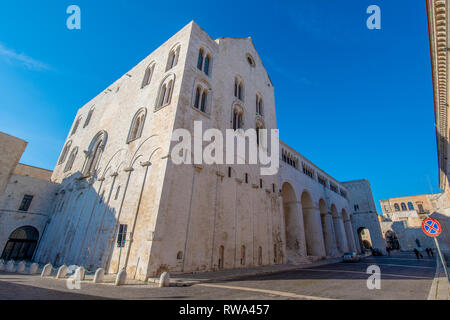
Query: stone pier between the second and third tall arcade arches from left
{"points": [[313, 232]]}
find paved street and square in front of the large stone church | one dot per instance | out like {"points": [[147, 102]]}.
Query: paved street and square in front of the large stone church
{"points": [[402, 277]]}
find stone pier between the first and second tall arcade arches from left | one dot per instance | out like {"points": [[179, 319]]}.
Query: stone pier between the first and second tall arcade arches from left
{"points": [[295, 237]]}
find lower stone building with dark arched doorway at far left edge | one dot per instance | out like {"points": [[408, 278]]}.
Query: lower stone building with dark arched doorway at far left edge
{"points": [[26, 199]]}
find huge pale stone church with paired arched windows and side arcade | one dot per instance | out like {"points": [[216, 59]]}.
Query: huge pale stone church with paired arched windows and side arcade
{"points": [[123, 204]]}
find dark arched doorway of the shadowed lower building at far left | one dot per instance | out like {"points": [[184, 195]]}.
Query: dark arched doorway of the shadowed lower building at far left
{"points": [[21, 244]]}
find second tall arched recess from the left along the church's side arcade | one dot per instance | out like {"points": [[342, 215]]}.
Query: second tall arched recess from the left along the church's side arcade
{"points": [[313, 228]]}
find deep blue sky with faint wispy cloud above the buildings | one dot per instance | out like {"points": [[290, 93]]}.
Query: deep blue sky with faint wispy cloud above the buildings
{"points": [[357, 102]]}
